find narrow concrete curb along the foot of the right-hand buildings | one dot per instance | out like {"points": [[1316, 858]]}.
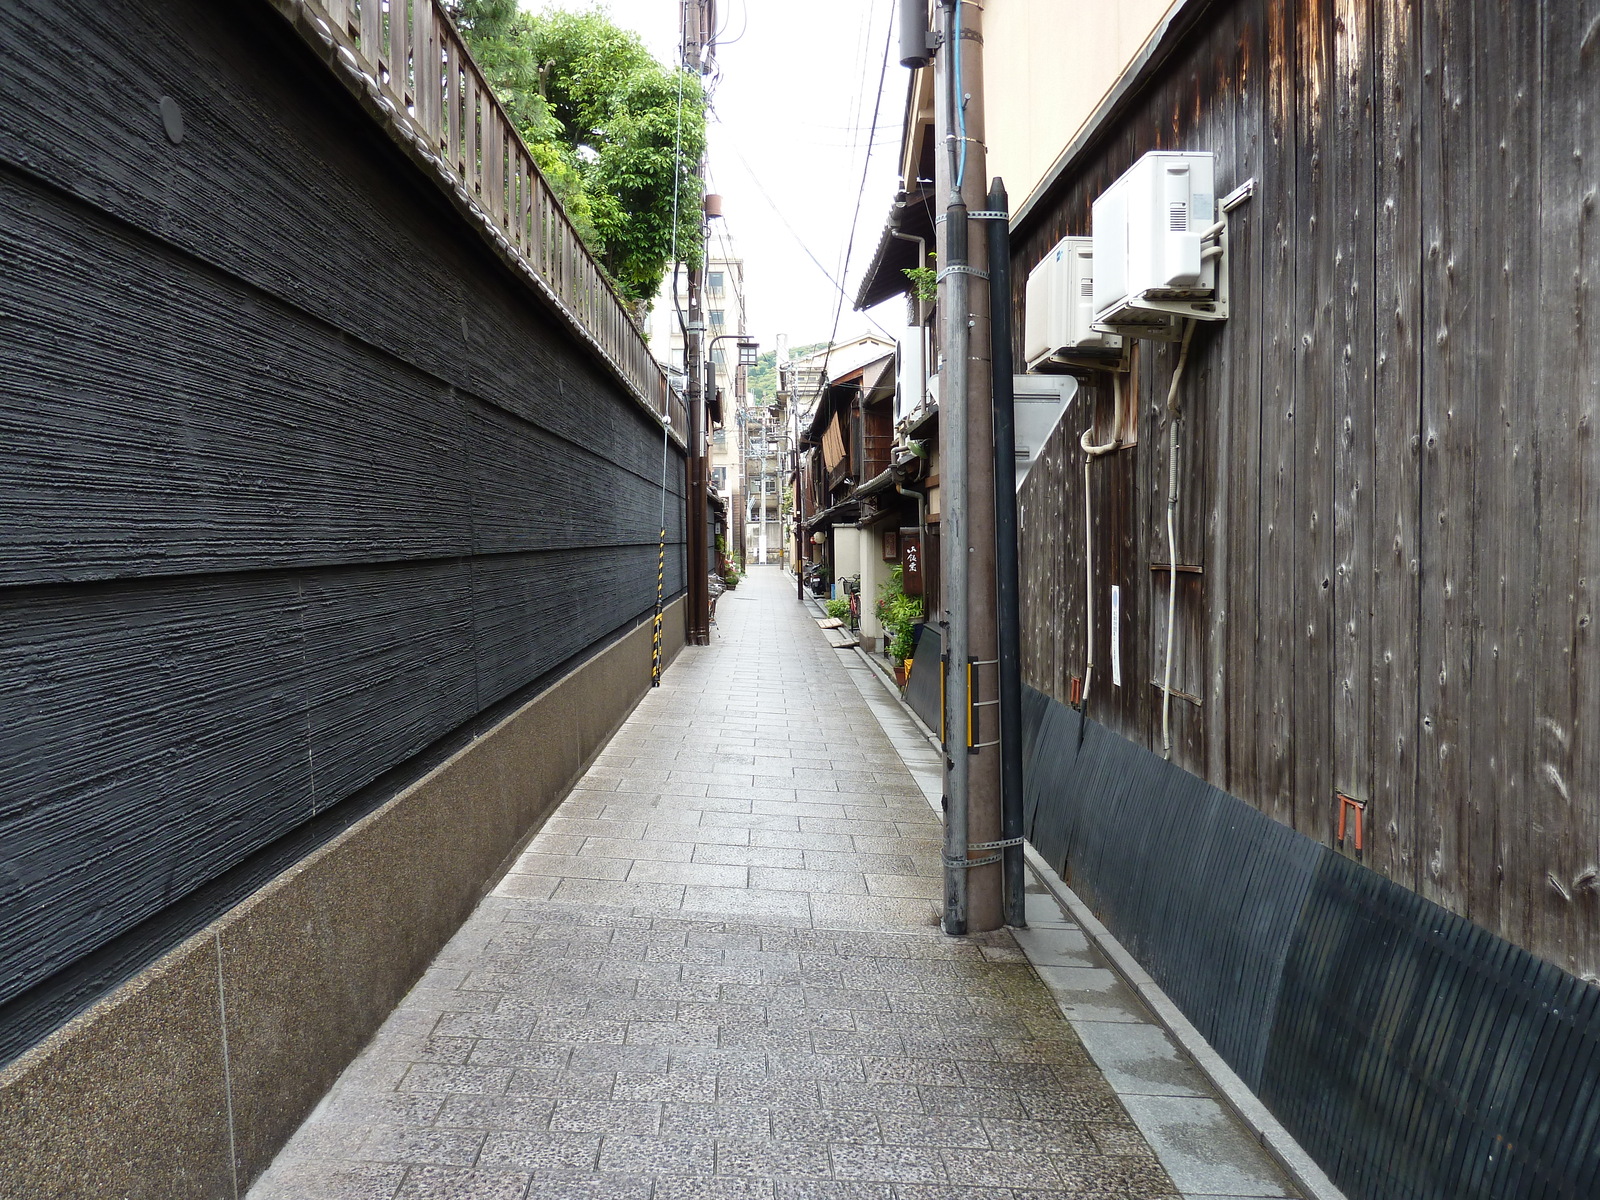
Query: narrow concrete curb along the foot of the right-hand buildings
{"points": [[1233, 1092]]}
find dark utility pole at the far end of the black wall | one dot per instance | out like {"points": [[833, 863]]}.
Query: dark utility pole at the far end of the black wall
{"points": [[698, 55]]}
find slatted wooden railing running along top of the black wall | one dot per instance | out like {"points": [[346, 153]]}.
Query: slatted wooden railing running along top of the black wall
{"points": [[412, 50]]}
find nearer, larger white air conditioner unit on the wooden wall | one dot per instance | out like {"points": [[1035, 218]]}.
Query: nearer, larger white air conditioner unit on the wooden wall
{"points": [[1159, 254]]}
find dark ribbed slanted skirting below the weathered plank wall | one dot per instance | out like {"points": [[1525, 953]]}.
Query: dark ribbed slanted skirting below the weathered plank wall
{"points": [[1414, 1054]]}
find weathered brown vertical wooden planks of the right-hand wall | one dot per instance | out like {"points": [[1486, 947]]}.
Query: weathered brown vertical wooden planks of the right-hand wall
{"points": [[1388, 455]]}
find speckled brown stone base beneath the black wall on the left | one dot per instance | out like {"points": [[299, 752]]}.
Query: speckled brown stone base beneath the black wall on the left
{"points": [[185, 1082]]}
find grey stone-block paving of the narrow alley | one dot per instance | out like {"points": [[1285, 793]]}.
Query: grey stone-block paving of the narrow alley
{"points": [[718, 974]]}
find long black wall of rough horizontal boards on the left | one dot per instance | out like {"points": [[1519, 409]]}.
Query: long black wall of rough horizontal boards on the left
{"points": [[298, 481]]}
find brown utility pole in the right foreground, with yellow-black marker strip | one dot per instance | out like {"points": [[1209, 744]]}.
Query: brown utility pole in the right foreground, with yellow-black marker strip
{"points": [[972, 777]]}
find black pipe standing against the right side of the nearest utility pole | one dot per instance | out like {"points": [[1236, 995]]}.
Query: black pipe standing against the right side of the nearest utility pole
{"points": [[1009, 618]]}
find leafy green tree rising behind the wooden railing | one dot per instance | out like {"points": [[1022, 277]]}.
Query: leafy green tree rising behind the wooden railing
{"points": [[604, 121]]}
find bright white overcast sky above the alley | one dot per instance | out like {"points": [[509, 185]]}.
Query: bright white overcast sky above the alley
{"points": [[793, 113]]}
